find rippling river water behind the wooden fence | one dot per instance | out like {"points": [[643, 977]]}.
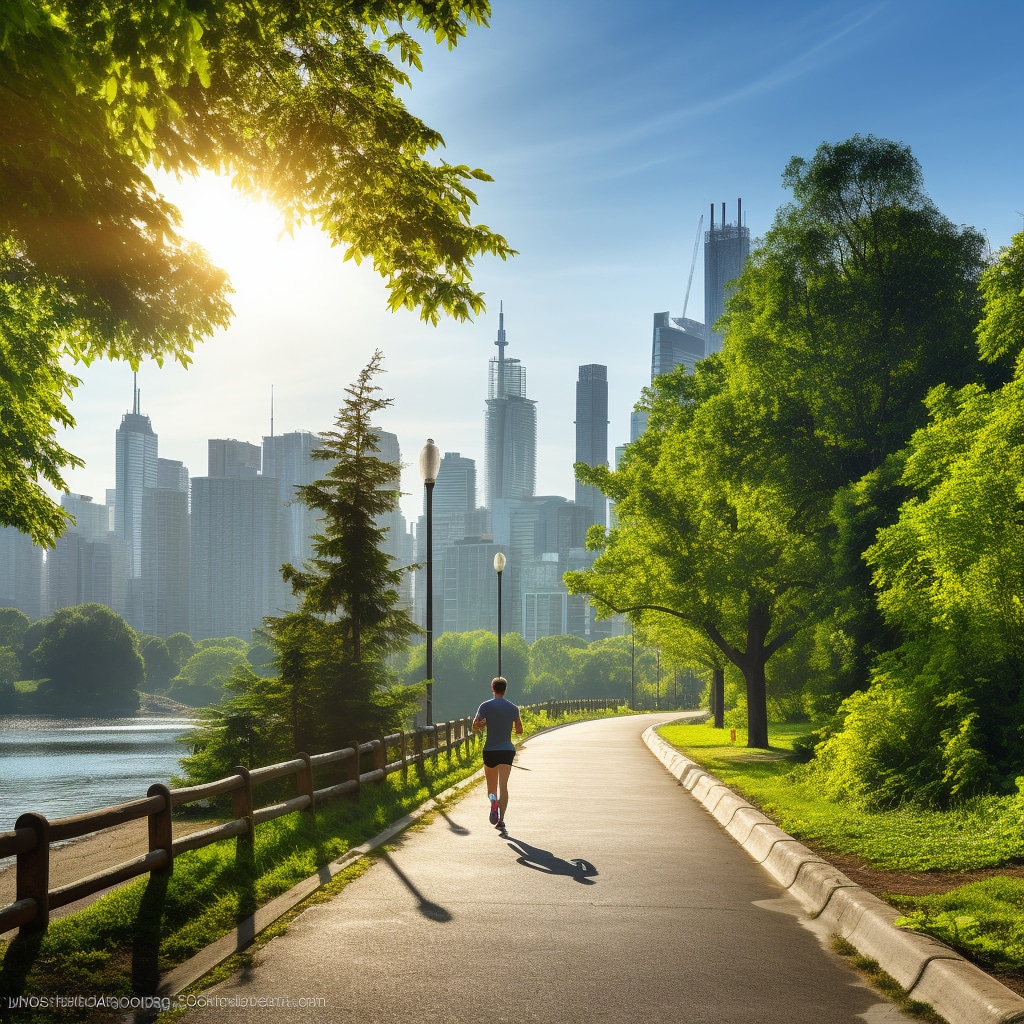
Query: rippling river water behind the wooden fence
{"points": [[61, 767]]}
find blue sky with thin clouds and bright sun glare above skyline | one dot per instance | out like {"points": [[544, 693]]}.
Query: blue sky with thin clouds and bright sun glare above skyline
{"points": [[610, 129]]}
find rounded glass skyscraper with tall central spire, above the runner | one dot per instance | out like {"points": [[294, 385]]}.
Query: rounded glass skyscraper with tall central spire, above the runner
{"points": [[510, 430]]}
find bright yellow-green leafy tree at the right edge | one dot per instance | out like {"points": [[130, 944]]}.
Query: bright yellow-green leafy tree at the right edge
{"points": [[945, 715]]}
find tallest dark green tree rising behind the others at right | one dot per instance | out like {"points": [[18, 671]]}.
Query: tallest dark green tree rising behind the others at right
{"points": [[862, 297]]}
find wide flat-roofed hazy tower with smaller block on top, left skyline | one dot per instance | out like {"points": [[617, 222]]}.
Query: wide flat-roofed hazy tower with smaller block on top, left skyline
{"points": [[237, 545]]}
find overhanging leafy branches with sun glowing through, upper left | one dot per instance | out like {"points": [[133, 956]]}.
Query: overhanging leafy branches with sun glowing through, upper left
{"points": [[297, 102]]}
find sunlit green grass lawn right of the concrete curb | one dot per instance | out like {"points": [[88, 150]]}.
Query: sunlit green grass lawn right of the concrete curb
{"points": [[984, 920]]}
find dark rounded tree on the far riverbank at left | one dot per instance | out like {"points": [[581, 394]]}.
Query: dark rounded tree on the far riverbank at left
{"points": [[90, 662]]}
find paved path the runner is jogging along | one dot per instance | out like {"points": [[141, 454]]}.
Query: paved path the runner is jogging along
{"points": [[615, 898]]}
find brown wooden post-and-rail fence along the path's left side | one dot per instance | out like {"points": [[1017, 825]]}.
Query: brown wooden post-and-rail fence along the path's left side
{"points": [[33, 834]]}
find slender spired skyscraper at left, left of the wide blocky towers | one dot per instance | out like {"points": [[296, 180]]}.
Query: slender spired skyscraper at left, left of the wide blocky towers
{"points": [[136, 447]]}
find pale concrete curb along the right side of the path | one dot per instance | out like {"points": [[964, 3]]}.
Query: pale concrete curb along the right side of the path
{"points": [[930, 971]]}
